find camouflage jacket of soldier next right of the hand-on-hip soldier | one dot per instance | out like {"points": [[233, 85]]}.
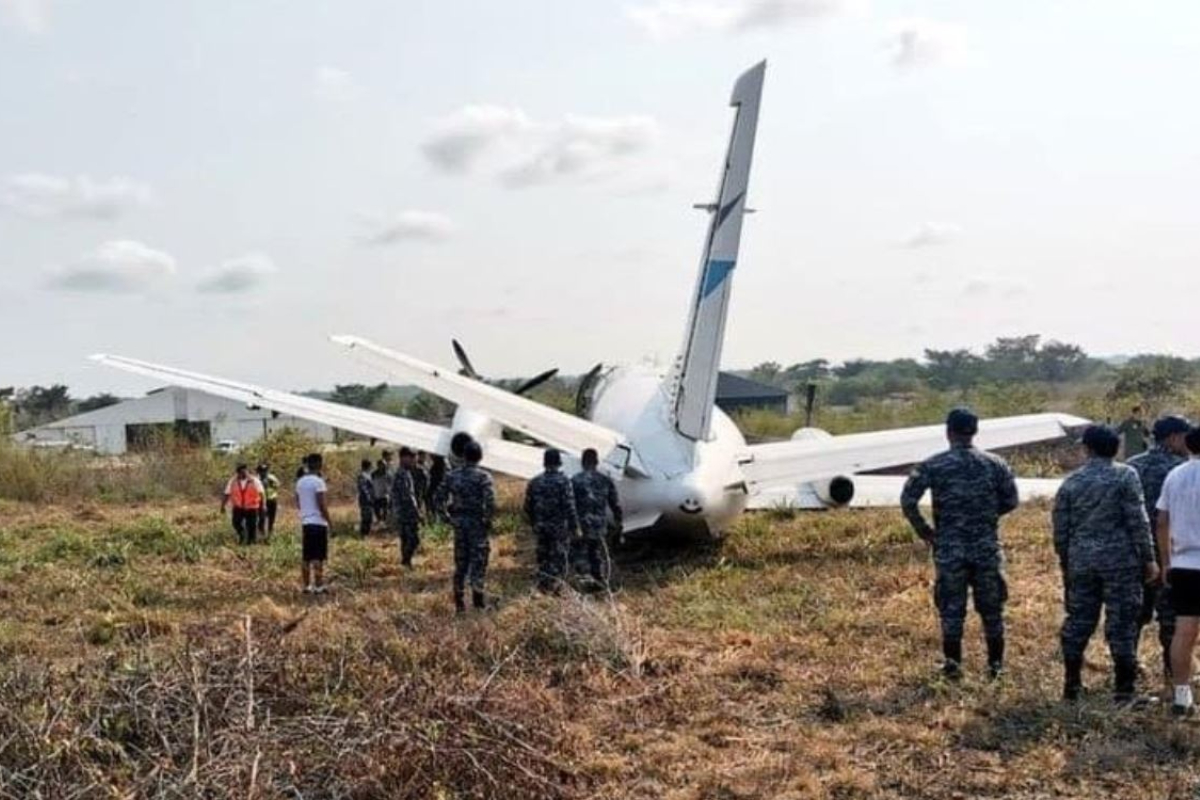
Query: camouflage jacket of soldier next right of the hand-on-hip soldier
{"points": [[1101, 518]]}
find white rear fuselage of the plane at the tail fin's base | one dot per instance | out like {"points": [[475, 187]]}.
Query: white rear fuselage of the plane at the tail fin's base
{"points": [[688, 485]]}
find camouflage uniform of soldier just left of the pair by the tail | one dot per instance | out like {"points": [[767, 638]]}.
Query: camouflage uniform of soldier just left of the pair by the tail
{"points": [[471, 496]]}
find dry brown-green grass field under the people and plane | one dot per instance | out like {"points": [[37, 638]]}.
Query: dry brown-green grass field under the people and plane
{"points": [[143, 654]]}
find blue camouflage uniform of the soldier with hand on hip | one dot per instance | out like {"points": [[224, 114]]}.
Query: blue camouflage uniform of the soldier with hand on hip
{"points": [[971, 491]]}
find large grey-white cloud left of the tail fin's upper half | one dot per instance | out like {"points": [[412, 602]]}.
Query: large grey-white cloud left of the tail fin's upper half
{"points": [[524, 153]]}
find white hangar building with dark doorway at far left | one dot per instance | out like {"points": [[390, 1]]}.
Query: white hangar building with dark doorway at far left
{"points": [[171, 412]]}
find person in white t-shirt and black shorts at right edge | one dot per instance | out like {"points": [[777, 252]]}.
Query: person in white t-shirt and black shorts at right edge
{"points": [[1179, 549]]}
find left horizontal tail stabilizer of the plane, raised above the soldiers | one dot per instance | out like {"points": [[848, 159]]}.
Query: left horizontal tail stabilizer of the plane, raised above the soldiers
{"points": [[542, 423]]}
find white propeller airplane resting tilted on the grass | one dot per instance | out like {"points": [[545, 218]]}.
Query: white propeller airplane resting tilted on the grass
{"points": [[679, 461]]}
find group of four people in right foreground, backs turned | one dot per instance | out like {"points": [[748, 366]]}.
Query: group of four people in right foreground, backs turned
{"points": [[1127, 538]]}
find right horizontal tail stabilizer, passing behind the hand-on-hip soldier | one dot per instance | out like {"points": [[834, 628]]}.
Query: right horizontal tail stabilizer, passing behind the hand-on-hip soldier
{"points": [[791, 464]]}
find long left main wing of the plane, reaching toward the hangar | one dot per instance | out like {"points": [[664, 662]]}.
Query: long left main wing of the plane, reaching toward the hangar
{"points": [[508, 458]]}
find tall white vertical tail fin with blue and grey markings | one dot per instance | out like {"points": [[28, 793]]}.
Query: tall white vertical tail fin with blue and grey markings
{"points": [[693, 381]]}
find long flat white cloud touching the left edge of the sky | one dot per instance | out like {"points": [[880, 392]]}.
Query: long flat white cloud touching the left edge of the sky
{"points": [[35, 195]]}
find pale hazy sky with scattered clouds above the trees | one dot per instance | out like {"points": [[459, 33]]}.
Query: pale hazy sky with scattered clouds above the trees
{"points": [[220, 185]]}
